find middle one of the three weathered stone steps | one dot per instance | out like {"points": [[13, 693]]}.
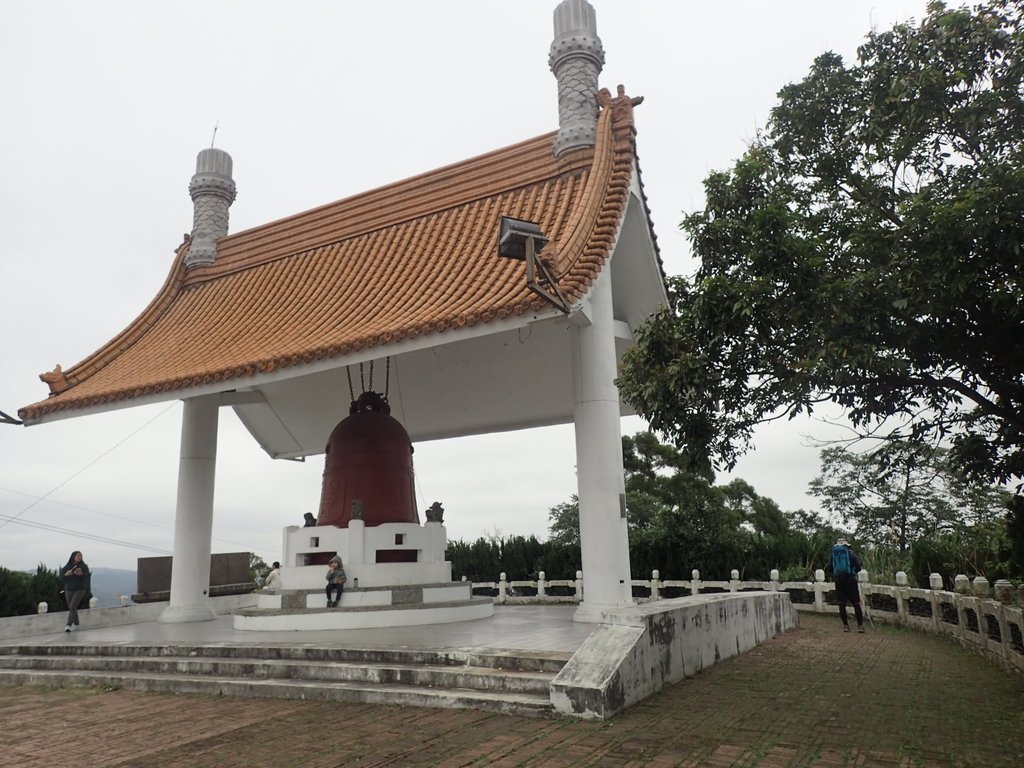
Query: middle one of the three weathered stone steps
{"points": [[477, 678]]}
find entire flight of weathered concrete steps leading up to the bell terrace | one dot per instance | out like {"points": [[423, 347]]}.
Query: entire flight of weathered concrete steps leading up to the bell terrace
{"points": [[516, 684]]}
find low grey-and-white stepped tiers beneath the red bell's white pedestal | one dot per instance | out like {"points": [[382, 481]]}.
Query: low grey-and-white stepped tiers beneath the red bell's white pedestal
{"points": [[368, 608]]}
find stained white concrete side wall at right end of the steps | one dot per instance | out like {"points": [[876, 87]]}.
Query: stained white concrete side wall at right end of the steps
{"points": [[641, 650]]}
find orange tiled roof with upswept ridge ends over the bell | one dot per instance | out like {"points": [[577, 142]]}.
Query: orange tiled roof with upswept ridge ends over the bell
{"points": [[412, 259]]}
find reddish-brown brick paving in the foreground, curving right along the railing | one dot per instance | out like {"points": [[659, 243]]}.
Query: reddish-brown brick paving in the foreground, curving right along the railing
{"points": [[814, 698]]}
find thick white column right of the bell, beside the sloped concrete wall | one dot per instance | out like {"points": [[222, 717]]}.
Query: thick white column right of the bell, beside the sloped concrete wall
{"points": [[604, 534]]}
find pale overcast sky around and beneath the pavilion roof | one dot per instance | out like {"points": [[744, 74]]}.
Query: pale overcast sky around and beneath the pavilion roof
{"points": [[106, 106]]}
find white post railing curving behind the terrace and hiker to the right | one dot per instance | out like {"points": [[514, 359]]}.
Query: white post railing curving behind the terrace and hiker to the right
{"points": [[987, 620]]}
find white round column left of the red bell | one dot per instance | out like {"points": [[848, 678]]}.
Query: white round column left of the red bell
{"points": [[194, 519]]}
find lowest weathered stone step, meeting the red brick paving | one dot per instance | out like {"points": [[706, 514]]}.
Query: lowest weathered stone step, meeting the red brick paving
{"points": [[505, 703]]}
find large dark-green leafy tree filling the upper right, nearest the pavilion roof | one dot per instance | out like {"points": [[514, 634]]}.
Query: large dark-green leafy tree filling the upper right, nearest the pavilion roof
{"points": [[866, 250]]}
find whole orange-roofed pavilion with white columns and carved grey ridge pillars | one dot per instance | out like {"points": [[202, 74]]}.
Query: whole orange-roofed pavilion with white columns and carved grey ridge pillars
{"points": [[472, 338]]}
